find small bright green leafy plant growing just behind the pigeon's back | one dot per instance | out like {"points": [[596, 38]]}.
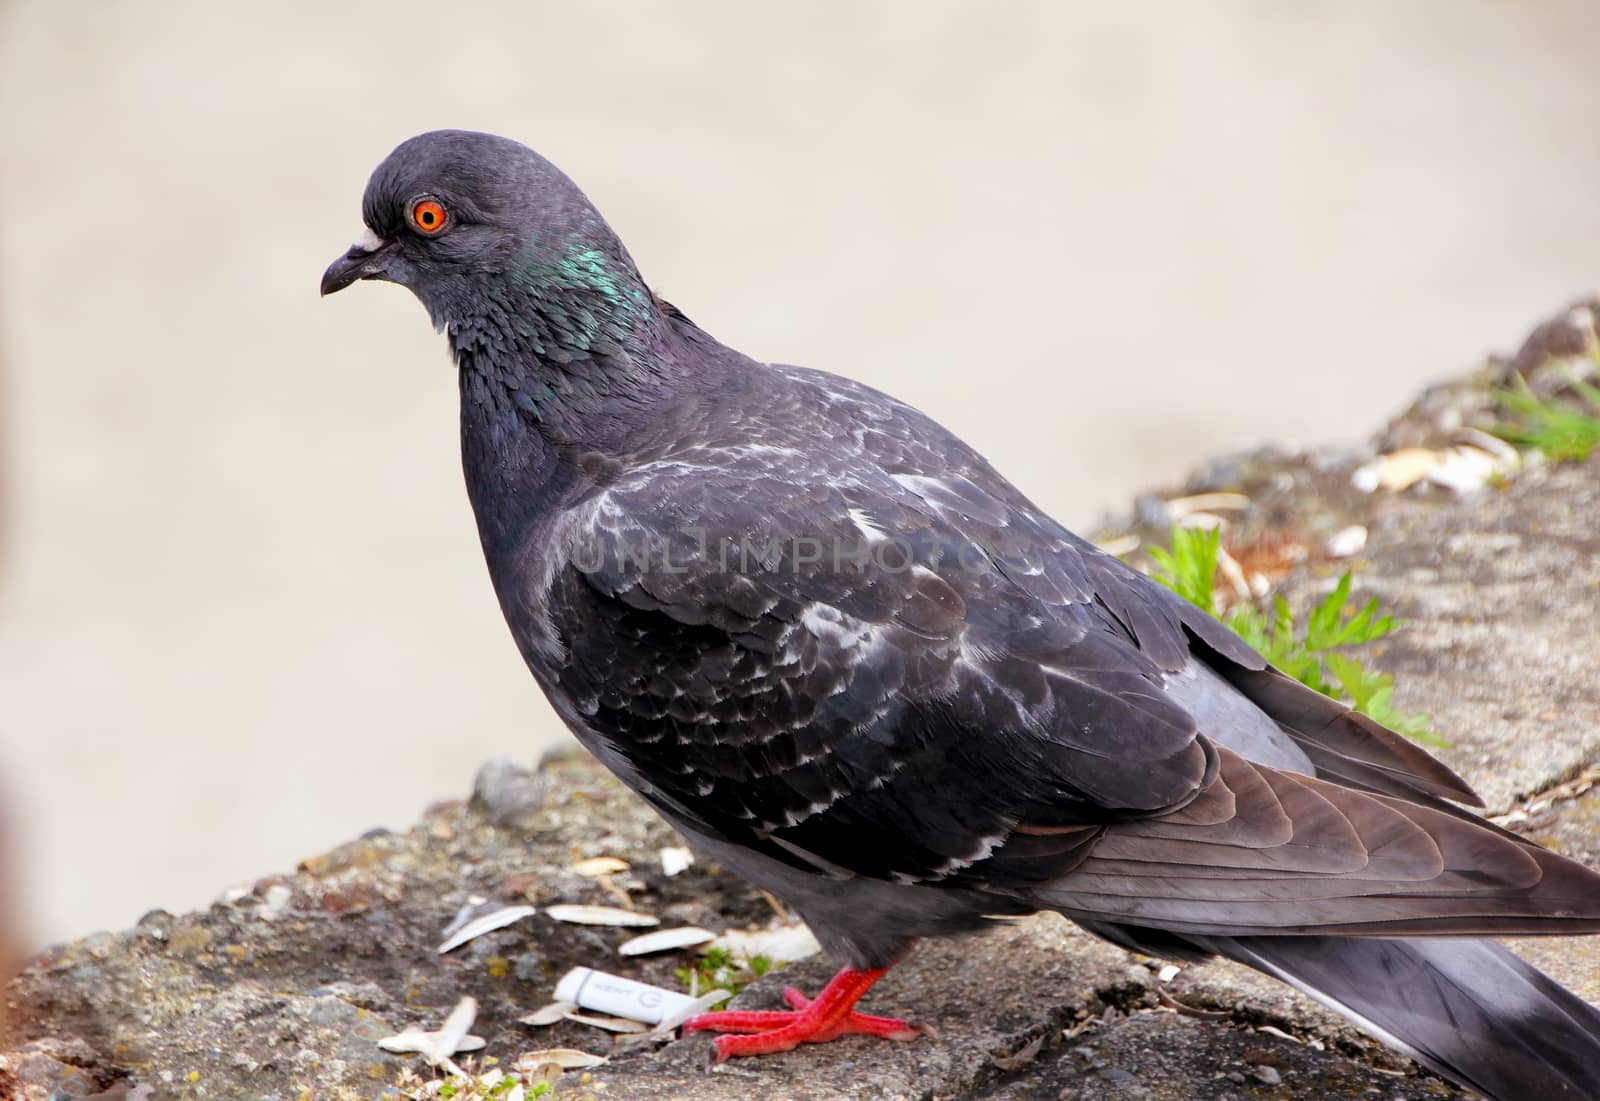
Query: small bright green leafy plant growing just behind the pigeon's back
{"points": [[1311, 652]]}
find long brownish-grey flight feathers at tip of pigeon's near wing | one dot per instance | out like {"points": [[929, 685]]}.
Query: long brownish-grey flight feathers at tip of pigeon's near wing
{"points": [[1270, 851]]}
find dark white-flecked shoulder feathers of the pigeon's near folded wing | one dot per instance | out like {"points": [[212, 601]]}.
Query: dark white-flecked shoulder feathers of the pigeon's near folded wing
{"points": [[841, 679]]}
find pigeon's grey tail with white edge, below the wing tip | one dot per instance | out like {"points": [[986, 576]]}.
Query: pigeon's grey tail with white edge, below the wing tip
{"points": [[1468, 1011]]}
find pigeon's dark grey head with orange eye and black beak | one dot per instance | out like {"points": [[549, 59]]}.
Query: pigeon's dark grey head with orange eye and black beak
{"points": [[462, 218]]}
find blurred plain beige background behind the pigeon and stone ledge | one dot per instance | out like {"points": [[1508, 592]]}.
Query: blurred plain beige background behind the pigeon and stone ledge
{"points": [[244, 615]]}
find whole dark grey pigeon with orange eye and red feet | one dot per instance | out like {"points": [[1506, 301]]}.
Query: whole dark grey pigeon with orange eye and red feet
{"points": [[850, 662]]}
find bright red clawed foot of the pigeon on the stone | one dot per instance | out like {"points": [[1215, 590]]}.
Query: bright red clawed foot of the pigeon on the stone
{"points": [[830, 1017]]}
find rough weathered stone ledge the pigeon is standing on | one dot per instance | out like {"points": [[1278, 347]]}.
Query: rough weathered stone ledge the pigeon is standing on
{"points": [[282, 991]]}
